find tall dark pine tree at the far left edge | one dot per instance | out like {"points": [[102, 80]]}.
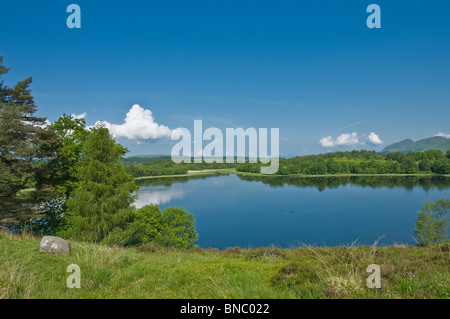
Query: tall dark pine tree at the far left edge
{"points": [[23, 151]]}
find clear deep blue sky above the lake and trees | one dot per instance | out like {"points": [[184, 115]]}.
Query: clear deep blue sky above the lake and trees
{"points": [[310, 68]]}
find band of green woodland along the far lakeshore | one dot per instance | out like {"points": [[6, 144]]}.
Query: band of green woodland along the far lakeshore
{"points": [[338, 163]]}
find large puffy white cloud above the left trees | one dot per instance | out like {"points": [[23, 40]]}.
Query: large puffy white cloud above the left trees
{"points": [[139, 125]]}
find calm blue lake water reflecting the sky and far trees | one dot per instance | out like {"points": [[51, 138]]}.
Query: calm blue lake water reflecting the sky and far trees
{"points": [[287, 212]]}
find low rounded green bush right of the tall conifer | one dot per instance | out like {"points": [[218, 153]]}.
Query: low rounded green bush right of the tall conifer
{"points": [[174, 227]]}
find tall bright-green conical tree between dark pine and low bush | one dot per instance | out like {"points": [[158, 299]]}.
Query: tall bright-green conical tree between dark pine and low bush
{"points": [[100, 206]]}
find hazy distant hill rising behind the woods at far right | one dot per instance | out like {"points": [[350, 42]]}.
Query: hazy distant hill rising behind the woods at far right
{"points": [[432, 143]]}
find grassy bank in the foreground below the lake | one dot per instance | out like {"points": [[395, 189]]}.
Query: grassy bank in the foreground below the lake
{"points": [[153, 272]]}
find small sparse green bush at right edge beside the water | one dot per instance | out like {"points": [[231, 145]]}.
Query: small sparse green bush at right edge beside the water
{"points": [[432, 222]]}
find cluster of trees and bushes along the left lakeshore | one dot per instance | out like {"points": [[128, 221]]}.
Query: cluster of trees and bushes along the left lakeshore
{"points": [[80, 189]]}
